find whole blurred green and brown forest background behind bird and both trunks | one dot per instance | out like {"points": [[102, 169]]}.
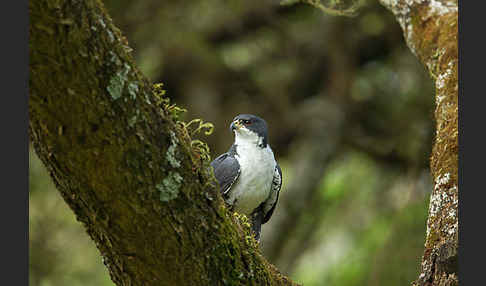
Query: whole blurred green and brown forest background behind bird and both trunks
{"points": [[366, 224]]}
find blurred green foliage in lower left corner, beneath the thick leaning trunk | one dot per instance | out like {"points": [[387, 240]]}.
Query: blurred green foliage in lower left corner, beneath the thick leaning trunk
{"points": [[60, 251]]}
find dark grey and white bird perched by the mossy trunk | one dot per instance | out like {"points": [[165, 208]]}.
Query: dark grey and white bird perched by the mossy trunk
{"points": [[249, 177]]}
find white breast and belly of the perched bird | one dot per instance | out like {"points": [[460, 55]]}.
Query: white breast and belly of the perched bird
{"points": [[257, 166]]}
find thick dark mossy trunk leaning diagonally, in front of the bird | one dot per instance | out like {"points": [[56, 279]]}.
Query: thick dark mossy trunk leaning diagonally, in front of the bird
{"points": [[122, 161]]}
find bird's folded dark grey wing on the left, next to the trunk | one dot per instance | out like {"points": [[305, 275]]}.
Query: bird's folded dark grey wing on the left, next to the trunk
{"points": [[226, 170]]}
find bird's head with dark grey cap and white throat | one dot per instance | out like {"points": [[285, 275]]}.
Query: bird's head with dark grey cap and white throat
{"points": [[250, 128]]}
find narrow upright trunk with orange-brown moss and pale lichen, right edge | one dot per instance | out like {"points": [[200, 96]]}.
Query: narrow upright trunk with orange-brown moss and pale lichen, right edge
{"points": [[430, 30]]}
